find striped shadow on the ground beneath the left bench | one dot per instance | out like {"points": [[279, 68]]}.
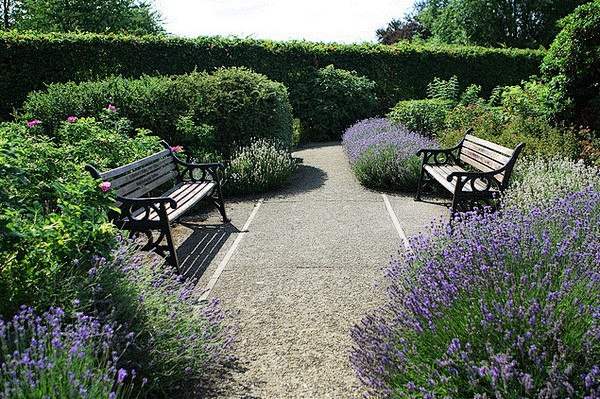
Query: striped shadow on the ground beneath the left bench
{"points": [[200, 248]]}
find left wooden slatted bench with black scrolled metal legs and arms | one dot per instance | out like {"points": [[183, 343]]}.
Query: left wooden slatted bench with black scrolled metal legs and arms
{"points": [[187, 184]]}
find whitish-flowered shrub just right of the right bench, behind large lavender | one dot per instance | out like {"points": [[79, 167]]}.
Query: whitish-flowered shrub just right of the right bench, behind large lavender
{"points": [[538, 180]]}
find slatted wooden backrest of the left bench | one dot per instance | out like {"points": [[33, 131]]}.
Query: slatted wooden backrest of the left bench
{"points": [[138, 178]]}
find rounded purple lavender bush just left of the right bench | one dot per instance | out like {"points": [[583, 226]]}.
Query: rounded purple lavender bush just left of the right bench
{"points": [[382, 154]]}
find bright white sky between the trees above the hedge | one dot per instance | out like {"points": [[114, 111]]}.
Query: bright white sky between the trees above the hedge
{"points": [[341, 21]]}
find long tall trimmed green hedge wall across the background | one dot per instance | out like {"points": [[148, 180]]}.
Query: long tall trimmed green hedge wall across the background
{"points": [[402, 71]]}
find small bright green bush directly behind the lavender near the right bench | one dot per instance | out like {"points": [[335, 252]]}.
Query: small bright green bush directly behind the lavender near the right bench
{"points": [[422, 116]]}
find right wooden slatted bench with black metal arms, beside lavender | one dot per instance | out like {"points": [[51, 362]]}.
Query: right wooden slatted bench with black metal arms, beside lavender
{"points": [[491, 165]]}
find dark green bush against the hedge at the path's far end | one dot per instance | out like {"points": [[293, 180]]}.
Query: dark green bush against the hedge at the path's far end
{"points": [[330, 101]]}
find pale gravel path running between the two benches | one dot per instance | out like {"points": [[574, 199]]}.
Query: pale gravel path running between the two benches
{"points": [[309, 267]]}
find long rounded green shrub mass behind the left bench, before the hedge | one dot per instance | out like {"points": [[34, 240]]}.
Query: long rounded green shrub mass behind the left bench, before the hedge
{"points": [[238, 104]]}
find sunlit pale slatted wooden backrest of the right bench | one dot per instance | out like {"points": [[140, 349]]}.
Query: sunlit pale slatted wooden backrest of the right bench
{"points": [[485, 155]]}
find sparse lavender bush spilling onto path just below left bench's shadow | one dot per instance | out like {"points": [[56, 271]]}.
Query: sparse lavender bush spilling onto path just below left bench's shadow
{"points": [[177, 340]]}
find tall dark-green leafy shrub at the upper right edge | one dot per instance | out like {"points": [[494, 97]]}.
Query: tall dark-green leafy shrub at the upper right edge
{"points": [[571, 64]]}
